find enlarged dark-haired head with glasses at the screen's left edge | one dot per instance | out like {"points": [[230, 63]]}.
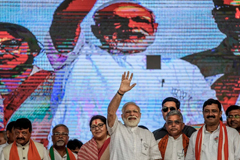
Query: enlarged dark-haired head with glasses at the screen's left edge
{"points": [[16, 55]]}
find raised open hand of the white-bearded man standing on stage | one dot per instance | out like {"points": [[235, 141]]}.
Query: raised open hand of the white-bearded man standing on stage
{"points": [[125, 83]]}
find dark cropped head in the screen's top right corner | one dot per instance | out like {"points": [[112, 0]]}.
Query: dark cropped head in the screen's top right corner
{"points": [[227, 17]]}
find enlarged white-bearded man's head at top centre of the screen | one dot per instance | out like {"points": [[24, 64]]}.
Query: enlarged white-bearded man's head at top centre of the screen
{"points": [[125, 28]]}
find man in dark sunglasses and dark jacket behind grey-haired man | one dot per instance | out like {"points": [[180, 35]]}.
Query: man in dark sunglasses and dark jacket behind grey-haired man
{"points": [[168, 105]]}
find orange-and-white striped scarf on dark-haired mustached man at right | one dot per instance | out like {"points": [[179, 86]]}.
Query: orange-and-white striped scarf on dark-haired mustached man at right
{"points": [[198, 145]]}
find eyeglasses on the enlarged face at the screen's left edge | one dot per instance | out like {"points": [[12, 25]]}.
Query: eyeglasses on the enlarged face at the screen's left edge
{"points": [[12, 44]]}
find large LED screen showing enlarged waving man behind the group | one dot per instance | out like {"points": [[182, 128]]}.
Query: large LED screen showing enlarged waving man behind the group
{"points": [[61, 61]]}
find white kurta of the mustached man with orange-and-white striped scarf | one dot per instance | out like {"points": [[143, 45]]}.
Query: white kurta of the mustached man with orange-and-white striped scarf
{"points": [[210, 145]]}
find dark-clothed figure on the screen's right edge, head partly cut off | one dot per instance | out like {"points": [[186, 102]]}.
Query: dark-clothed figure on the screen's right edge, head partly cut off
{"points": [[221, 64]]}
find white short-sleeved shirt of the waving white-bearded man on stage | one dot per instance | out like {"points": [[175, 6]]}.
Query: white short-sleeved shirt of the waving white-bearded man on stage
{"points": [[132, 143]]}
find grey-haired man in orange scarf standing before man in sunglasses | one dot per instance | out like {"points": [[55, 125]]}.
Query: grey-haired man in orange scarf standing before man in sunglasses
{"points": [[174, 145]]}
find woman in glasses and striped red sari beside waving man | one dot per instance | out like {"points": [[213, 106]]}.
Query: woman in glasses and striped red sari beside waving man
{"points": [[98, 147]]}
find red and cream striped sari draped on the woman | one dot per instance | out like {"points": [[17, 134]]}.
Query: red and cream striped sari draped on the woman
{"points": [[89, 151]]}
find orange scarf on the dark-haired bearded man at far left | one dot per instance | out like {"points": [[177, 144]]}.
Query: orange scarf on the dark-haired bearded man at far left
{"points": [[32, 152]]}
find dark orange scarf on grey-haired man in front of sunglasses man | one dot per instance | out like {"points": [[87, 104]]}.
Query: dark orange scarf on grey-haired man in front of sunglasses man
{"points": [[162, 145]]}
